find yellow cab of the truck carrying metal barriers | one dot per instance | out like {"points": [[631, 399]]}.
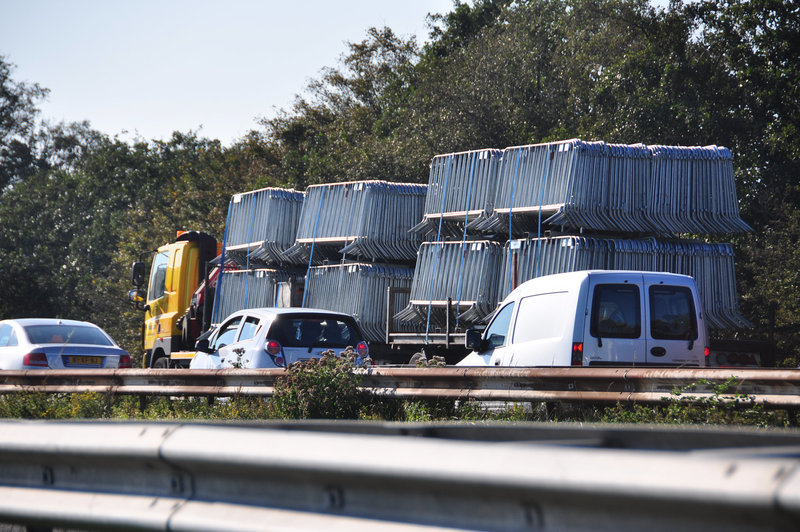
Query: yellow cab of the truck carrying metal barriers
{"points": [[176, 271]]}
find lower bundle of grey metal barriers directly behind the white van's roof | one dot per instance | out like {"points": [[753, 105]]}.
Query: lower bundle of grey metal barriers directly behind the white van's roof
{"points": [[711, 265]]}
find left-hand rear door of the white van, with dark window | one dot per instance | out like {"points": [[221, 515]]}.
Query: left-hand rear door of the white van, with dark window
{"points": [[614, 329]]}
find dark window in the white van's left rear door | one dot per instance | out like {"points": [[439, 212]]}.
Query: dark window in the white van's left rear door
{"points": [[616, 311]]}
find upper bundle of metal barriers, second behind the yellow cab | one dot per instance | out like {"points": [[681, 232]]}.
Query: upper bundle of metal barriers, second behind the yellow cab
{"points": [[366, 219]]}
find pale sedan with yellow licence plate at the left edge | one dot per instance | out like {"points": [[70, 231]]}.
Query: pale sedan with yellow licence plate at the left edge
{"points": [[48, 343]]}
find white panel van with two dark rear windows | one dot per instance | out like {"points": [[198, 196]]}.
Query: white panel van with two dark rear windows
{"points": [[595, 318]]}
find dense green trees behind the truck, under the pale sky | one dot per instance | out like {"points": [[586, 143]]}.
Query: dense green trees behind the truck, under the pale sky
{"points": [[76, 207]]}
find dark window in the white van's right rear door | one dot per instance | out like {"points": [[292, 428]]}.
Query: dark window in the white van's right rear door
{"points": [[672, 315]]}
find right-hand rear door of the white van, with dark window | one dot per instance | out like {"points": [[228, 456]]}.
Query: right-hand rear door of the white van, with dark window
{"points": [[673, 327]]}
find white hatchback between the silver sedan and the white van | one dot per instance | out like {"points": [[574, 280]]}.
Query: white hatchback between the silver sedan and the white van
{"points": [[277, 337]]}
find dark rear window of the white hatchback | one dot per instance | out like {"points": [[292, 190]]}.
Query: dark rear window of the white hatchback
{"points": [[316, 331]]}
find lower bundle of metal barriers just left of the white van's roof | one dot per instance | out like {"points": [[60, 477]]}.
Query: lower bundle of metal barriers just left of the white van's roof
{"points": [[465, 272]]}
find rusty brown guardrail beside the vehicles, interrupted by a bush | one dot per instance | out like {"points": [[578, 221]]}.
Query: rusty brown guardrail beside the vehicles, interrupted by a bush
{"points": [[773, 388]]}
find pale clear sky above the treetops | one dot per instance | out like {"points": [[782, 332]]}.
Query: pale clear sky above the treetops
{"points": [[146, 68]]}
